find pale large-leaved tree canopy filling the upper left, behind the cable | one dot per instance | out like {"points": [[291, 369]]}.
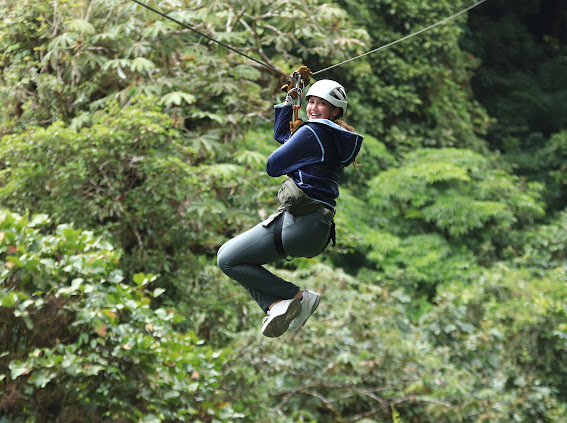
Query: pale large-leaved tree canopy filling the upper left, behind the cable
{"points": [[78, 57]]}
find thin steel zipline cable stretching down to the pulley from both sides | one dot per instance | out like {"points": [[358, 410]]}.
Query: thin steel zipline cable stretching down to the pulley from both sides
{"points": [[319, 71]]}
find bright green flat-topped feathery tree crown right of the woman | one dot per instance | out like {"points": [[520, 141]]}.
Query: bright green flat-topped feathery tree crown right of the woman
{"points": [[457, 192]]}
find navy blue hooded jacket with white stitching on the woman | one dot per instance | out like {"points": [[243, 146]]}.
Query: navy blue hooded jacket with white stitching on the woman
{"points": [[315, 155]]}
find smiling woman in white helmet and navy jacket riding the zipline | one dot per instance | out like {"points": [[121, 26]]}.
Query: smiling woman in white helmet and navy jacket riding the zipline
{"points": [[313, 157]]}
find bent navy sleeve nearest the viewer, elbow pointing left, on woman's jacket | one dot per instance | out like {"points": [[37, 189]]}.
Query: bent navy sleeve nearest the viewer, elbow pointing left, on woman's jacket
{"points": [[303, 148]]}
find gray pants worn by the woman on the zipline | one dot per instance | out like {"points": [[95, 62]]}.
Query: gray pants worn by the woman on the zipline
{"points": [[242, 258]]}
